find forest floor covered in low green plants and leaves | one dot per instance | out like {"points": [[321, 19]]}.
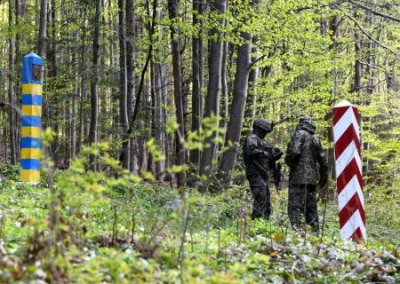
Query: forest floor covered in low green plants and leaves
{"points": [[93, 229]]}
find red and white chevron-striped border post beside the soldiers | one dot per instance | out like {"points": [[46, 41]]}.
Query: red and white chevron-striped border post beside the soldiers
{"points": [[346, 133]]}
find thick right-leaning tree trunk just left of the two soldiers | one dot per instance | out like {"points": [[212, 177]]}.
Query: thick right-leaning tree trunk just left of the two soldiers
{"points": [[238, 107]]}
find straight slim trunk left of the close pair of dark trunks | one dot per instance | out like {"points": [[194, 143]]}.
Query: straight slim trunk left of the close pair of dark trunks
{"points": [[94, 82]]}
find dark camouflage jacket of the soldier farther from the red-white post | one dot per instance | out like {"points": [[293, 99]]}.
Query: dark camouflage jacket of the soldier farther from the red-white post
{"points": [[255, 158]]}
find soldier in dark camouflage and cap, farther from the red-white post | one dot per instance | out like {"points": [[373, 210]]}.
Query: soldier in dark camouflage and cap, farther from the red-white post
{"points": [[258, 156]]}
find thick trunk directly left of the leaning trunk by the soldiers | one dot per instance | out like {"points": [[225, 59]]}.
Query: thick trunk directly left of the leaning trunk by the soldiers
{"points": [[213, 89]]}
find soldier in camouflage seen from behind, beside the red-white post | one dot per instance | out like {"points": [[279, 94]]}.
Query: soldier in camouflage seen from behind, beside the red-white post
{"points": [[308, 169]]}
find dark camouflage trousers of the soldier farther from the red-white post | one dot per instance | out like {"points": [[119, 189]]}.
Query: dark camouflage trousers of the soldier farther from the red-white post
{"points": [[261, 197]]}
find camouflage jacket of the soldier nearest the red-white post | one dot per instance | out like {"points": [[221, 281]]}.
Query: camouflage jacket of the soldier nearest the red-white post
{"points": [[306, 159]]}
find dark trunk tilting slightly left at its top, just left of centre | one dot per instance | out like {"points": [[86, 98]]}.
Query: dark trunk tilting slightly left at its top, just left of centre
{"points": [[173, 8]]}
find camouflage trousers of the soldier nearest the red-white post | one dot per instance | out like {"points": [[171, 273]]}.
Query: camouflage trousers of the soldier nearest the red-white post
{"points": [[303, 202]]}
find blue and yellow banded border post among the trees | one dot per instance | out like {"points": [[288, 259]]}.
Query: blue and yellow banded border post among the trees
{"points": [[31, 122]]}
